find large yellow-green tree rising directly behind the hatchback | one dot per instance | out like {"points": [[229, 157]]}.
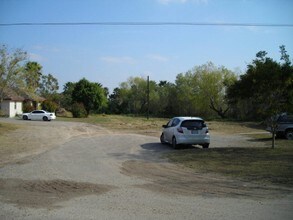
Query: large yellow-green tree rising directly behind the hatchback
{"points": [[202, 90]]}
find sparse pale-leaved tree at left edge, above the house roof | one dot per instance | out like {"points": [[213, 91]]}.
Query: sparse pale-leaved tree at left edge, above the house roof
{"points": [[11, 68]]}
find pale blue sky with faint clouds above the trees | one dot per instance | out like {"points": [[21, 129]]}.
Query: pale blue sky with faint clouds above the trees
{"points": [[110, 54]]}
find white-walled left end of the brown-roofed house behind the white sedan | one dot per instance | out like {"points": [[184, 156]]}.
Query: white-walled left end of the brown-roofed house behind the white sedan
{"points": [[11, 104]]}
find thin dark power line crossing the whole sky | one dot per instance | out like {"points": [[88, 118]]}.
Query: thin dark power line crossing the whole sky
{"points": [[146, 24]]}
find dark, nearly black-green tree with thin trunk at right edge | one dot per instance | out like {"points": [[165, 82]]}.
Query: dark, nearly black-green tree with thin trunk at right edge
{"points": [[266, 88]]}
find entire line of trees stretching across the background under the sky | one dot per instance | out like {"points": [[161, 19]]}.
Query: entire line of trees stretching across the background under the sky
{"points": [[207, 90]]}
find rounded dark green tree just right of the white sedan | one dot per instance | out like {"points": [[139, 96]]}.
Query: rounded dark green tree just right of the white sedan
{"points": [[92, 95]]}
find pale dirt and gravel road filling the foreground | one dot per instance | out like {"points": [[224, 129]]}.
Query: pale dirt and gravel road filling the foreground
{"points": [[81, 171]]}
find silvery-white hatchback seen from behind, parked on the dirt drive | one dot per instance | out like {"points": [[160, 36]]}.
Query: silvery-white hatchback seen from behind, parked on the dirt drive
{"points": [[186, 130]]}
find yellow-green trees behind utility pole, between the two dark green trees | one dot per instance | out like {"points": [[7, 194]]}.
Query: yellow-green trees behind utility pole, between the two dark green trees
{"points": [[200, 91]]}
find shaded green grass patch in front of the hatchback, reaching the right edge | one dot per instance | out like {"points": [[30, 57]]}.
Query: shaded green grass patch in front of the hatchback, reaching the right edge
{"points": [[250, 164]]}
